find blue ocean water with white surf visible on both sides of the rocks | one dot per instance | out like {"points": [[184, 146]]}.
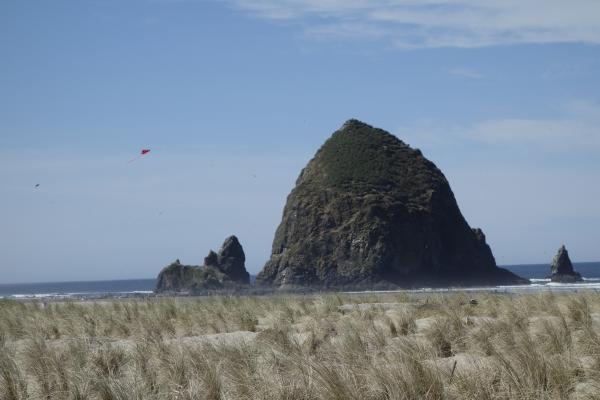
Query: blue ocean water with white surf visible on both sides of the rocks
{"points": [[537, 273]]}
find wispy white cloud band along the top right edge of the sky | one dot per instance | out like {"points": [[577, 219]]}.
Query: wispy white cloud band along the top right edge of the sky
{"points": [[438, 23]]}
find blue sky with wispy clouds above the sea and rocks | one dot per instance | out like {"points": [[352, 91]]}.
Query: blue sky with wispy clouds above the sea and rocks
{"points": [[234, 97]]}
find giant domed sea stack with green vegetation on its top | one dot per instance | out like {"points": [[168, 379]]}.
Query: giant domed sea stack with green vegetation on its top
{"points": [[368, 211]]}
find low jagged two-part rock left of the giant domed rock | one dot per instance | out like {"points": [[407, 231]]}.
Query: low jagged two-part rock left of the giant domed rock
{"points": [[225, 270]]}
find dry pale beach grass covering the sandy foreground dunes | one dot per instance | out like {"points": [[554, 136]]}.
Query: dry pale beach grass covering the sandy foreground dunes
{"points": [[338, 346]]}
